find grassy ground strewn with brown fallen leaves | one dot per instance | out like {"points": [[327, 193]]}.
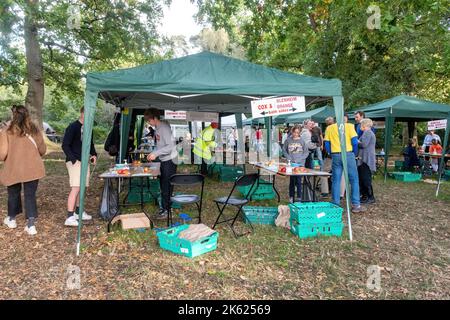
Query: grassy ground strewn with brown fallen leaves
{"points": [[406, 233]]}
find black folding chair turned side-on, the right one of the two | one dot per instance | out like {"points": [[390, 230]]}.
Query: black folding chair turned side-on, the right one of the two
{"points": [[245, 180]]}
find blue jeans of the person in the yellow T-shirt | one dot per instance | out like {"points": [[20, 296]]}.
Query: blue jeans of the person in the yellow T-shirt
{"points": [[337, 170]]}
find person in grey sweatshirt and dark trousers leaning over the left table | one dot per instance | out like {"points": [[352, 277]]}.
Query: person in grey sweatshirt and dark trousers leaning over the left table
{"points": [[166, 152]]}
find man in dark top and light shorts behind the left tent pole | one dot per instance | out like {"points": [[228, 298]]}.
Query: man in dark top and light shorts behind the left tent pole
{"points": [[71, 146]]}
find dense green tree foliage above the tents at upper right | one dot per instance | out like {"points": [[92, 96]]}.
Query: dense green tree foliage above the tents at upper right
{"points": [[408, 54]]}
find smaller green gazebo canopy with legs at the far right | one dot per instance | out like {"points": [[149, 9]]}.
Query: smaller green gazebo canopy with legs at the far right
{"points": [[405, 108]]}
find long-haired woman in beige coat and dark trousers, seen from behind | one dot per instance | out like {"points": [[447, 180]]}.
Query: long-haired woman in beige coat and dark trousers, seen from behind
{"points": [[23, 165]]}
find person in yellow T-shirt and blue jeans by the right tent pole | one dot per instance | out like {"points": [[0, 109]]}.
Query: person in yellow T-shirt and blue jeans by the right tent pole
{"points": [[333, 147]]}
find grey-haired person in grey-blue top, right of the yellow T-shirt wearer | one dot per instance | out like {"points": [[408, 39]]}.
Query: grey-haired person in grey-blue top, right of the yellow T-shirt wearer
{"points": [[366, 161]]}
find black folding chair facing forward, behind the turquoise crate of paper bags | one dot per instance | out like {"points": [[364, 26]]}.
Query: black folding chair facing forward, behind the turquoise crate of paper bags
{"points": [[184, 199]]}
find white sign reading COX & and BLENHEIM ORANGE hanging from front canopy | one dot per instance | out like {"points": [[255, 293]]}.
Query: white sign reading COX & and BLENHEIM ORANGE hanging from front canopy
{"points": [[277, 106]]}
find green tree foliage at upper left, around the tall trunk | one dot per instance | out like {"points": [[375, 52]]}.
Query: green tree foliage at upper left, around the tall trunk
{"points": [[109, 35]]}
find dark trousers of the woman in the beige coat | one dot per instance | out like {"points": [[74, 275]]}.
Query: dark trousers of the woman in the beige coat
{"points": [[15, 202]]}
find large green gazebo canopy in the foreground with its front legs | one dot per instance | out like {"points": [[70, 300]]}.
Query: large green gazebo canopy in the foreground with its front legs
{"points": [[206, 82]]}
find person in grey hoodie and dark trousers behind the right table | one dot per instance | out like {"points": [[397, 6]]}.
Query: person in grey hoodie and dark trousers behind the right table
{"points": [[296, 151]]}
